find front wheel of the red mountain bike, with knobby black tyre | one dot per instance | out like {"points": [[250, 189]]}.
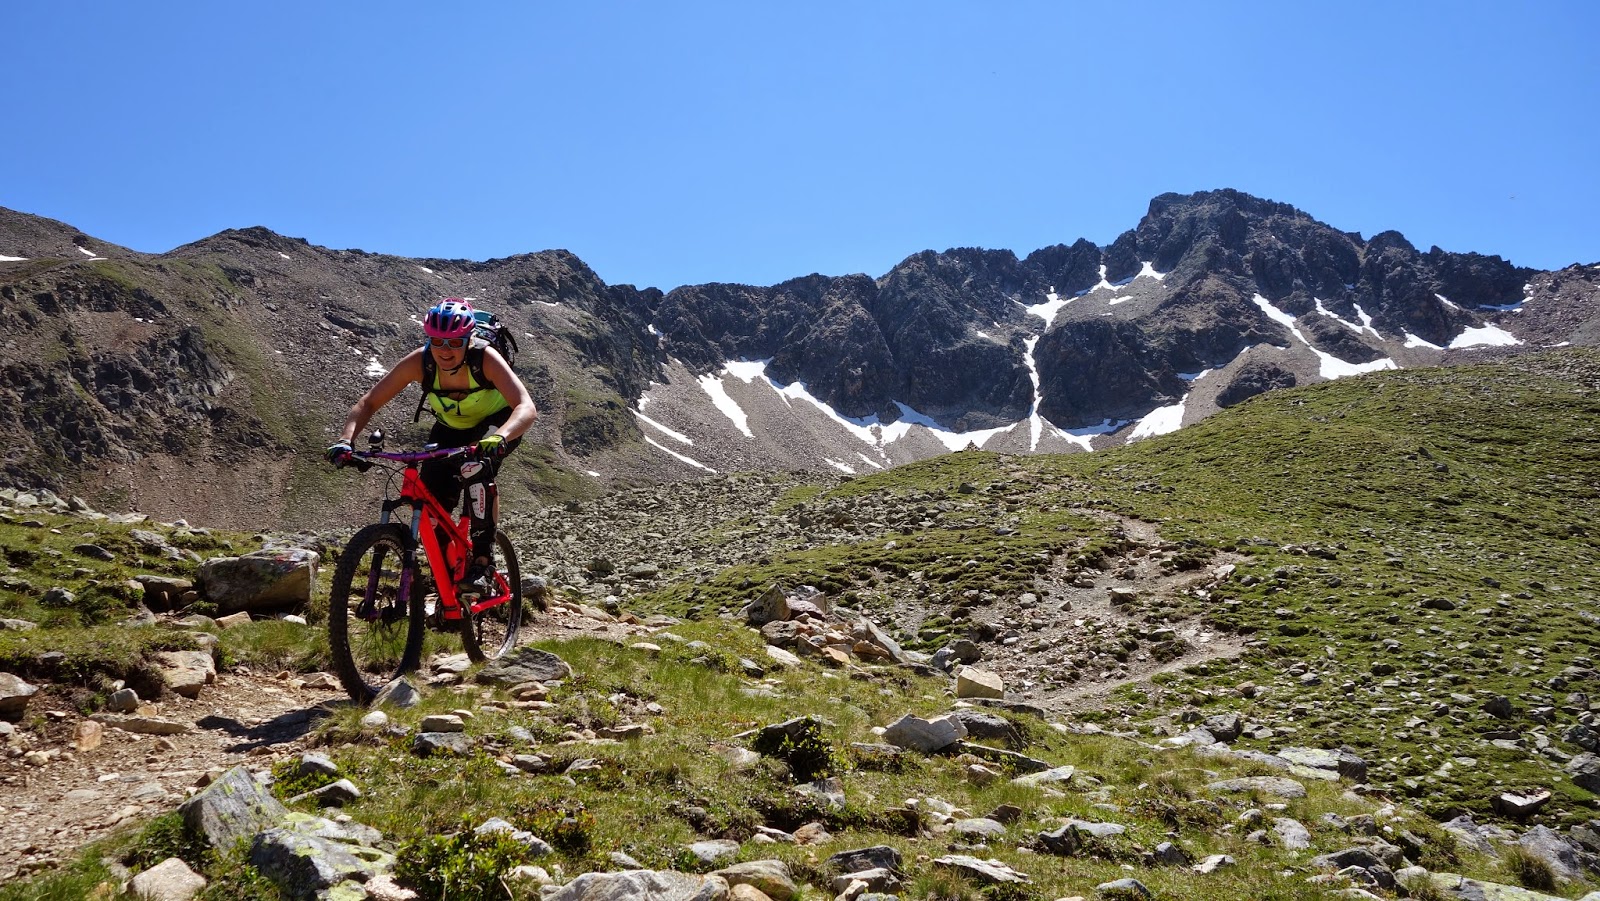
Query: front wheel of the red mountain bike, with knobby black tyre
{"points": [[375, 612]]}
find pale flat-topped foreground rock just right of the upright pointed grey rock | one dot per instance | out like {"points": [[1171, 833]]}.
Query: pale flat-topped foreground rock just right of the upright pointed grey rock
{"points": [[310, 854]]}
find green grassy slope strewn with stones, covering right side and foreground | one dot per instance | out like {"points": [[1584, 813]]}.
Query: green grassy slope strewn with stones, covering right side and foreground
{"points": [[1354, 503]]}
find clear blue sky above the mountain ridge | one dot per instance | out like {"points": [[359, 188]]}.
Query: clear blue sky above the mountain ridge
{"points": [[750, 142]]}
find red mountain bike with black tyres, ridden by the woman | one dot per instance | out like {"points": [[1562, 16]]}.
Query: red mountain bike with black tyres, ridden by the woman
{"points": [[385, 595]]}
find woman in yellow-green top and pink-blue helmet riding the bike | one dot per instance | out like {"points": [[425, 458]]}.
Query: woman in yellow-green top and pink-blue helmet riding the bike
{"points": [[466, 412]]}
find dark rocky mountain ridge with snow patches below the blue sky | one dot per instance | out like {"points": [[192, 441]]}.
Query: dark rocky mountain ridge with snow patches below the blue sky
{"points": [[210, 375]]}
